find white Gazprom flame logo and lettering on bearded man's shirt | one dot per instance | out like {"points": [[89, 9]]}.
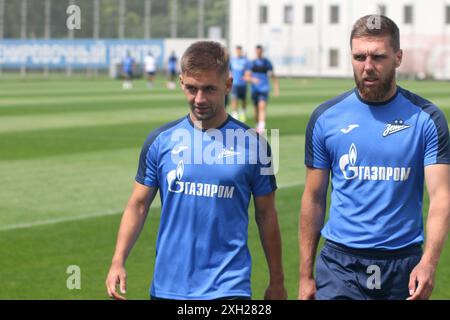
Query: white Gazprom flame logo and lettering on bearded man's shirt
{"points": [[350, 169]]}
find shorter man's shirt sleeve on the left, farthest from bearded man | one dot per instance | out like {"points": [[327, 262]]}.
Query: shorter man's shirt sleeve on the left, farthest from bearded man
{"points": [[147, 173]]}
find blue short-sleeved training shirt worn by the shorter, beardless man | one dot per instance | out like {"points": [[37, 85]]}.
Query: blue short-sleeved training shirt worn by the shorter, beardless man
{"points": [[201, 249]]}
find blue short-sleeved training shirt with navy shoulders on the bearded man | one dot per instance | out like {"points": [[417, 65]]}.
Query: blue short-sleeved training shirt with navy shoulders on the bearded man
{"points": [[376, 154]]}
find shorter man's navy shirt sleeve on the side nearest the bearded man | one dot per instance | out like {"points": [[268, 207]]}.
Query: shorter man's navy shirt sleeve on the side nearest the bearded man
{"points": [[263, 178]]}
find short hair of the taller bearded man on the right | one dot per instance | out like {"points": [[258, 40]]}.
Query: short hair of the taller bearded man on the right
{"points": [[376, 26]]}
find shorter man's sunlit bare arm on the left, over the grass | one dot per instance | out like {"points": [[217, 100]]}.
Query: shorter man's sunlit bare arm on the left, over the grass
{"points": [[133, 220]]}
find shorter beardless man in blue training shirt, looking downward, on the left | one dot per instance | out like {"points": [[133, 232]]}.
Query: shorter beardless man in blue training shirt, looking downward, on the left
{"points": [[201, 250]]}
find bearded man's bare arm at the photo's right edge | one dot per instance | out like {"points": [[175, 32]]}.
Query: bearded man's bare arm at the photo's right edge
{"points": [[421, 280]]}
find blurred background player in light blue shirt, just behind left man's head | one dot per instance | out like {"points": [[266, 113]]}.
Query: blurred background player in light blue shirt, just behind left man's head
{"points": [[238, 67]]}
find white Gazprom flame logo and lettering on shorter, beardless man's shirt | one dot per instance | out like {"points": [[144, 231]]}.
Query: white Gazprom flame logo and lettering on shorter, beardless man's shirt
{"points": [[176, 185]]}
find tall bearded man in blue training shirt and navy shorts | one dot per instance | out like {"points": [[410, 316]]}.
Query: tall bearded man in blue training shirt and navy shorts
{"points": [[380, 143]]}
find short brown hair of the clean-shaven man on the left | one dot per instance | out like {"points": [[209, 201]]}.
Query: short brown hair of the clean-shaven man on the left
{"points": [[204, 56]]}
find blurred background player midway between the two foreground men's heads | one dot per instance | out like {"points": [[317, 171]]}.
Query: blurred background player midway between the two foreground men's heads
{"points": [[258, 73]]}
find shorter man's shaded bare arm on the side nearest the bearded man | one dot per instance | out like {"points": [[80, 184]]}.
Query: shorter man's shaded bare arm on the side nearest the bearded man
{"points": [[269, 233]]}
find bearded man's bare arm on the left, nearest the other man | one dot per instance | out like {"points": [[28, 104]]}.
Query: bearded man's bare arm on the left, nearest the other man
{"points": [[312, 216]]}
